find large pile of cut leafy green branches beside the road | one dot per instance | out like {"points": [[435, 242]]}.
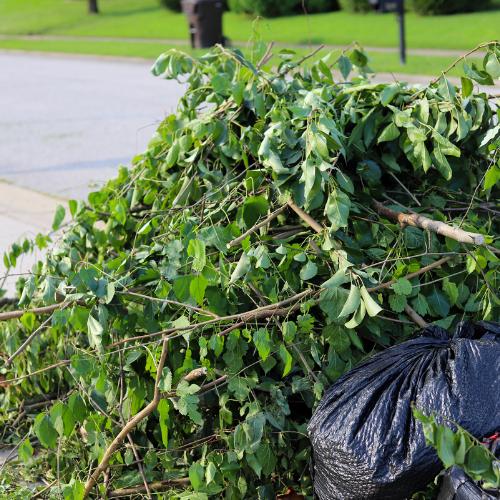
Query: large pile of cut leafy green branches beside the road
{"points": [[281, 227]]}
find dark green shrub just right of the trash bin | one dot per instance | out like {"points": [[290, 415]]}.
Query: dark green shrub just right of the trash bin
{"points": [[267, 8]]}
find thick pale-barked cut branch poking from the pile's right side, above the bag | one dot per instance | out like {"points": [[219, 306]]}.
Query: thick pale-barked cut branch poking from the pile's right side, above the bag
{"points": [[422, 222]]}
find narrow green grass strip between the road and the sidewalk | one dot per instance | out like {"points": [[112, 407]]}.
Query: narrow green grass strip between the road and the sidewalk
{"points": [[383, 62]]}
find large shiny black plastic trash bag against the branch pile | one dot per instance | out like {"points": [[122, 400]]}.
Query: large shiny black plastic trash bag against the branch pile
{"points": [[366, 443]]}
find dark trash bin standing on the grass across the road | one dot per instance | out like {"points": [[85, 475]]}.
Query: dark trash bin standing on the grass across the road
{"points": [[205, 21]]}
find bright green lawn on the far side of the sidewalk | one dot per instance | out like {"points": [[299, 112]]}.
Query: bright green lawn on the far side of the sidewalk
{"points": [[145, 19]]}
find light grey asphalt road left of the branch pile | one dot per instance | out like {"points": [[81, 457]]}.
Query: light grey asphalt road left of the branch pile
{"points": [[67, 121]]}
